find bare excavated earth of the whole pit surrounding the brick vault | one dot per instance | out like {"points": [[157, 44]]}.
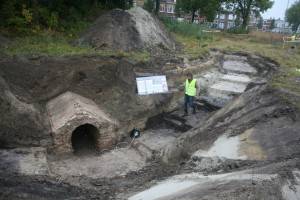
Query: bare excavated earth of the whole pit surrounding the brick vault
{"points": [[243, 142]]}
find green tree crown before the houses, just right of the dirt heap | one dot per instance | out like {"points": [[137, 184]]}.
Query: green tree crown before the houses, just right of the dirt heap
{"points": [[207, 8]]}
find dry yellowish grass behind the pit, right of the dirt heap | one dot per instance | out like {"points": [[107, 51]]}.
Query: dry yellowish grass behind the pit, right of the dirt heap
{"points": [[263, 44]]}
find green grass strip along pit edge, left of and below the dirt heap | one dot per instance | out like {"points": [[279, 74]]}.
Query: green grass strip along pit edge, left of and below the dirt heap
{"points": [[60, 45]]}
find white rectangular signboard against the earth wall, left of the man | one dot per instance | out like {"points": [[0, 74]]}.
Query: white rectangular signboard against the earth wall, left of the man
{"points": [[152, 85]]}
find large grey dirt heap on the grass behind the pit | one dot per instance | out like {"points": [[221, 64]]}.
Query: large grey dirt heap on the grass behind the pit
{"points": [[127, 30]]}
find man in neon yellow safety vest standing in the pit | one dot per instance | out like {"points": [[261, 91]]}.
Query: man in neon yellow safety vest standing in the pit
{"points": [[190, 93]]}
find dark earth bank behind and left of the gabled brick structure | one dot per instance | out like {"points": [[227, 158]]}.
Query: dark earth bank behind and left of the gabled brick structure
{"points": [[28, 84]]}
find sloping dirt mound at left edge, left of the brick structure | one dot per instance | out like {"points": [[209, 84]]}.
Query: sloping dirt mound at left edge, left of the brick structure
{"points": [[21, 123]]}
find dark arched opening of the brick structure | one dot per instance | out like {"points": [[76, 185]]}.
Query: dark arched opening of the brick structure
{"points": [[84, 139]]}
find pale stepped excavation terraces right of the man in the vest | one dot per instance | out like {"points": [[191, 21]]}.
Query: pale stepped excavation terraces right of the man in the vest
{"points": [[234, 74]]}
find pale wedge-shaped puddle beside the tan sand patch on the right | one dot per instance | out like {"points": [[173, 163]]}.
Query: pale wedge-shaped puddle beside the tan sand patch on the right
{"points": [[224, 146]]}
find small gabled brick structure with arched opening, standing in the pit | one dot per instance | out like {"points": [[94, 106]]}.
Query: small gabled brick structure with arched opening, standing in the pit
{"points": [[71, 112]]}
